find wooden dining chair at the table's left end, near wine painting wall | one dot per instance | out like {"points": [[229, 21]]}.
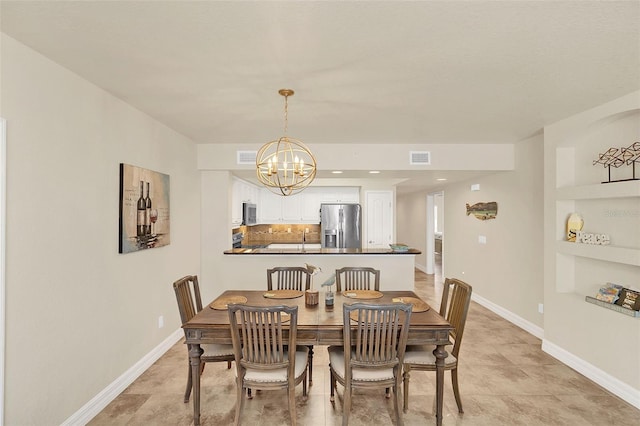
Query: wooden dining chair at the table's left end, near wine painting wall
{"points": [[189, 304]]}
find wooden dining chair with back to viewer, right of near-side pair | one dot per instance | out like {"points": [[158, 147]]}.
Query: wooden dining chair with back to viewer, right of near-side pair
{"points": [[374, 351]]}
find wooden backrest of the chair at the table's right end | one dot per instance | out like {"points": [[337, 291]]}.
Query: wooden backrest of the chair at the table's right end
{"points": [[456, 297]]}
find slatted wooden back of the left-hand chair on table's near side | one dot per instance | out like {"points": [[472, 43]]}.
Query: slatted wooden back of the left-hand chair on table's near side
{"points": [[259, 338]]}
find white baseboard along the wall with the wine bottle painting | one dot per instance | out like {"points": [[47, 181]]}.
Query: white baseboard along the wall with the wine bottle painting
{"points": [[100, 401]]}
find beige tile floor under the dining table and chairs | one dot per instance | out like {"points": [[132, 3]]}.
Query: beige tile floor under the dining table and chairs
{"points": [[509, 383]]}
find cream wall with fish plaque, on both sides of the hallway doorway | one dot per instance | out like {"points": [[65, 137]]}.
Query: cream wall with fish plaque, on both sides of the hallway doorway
{"points": [[507, 271]]}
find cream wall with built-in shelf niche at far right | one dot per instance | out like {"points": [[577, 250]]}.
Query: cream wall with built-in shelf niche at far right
{"points": [[600, 343]]}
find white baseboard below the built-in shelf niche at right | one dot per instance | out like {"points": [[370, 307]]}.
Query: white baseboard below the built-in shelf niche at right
{"points": [[610, 383]]}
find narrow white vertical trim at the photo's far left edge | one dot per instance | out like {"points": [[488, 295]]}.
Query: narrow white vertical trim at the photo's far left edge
{"points": [[3, 234]]}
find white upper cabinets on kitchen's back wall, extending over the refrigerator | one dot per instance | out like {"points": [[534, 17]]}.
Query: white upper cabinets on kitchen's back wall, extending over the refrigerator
{"points": [[303, 207]]}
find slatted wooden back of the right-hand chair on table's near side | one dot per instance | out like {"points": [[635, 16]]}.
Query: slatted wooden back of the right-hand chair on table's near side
{"points": [[380, 336]]}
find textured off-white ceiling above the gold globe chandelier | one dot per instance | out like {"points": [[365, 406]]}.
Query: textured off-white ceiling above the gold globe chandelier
{"points": [[363, 72]]}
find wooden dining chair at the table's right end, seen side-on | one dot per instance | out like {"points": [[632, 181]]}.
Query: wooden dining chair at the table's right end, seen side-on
{"points": [[456, 296]]}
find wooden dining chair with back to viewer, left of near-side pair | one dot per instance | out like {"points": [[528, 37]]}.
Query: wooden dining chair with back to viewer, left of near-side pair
{"points": [[265, 351]]}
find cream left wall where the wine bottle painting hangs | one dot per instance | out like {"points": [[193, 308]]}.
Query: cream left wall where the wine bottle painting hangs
{"points": [[78, 313]]}
